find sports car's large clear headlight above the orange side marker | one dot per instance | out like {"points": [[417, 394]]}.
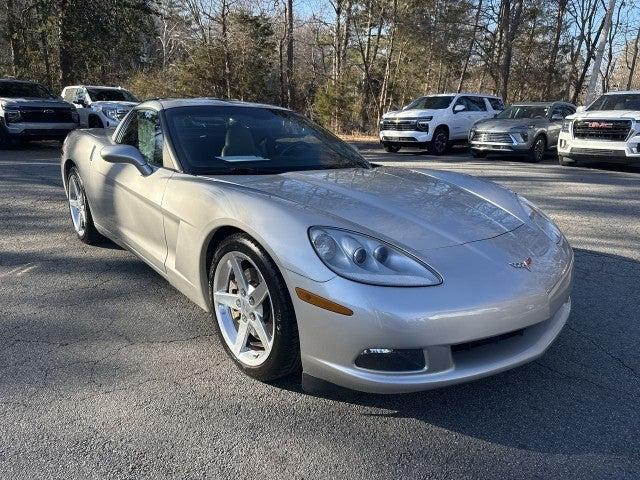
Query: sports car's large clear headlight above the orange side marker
{"points": [[365, 259]]}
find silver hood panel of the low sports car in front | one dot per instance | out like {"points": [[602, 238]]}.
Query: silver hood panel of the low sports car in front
{"points": [[407, 207]]}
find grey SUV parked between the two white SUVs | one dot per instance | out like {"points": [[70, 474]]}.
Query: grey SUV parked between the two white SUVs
{"points": [[529, 128]]}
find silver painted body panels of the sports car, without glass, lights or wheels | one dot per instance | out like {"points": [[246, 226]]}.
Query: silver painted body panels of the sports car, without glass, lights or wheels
{"points": [[168, 218]]}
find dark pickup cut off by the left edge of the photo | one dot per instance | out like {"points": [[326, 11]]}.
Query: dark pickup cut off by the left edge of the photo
{"points": [[29, 111]]}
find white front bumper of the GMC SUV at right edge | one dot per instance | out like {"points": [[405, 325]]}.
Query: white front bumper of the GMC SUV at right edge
{"points": [[599, 151]]}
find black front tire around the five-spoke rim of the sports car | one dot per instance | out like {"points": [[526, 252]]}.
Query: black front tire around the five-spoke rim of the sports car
{"points": [[284, 357]]}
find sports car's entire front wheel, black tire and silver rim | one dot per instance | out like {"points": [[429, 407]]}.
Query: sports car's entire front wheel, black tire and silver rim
{"points": [[253, 311]]}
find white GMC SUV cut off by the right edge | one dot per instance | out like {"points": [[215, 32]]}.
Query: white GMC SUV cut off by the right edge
{"points": [[608, 130]]}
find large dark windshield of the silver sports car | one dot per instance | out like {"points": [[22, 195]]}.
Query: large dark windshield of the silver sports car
{"points": [[219, 140]]}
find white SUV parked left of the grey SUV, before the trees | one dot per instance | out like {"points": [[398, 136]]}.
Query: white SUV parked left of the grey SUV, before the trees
{"points": [[436, 121]]}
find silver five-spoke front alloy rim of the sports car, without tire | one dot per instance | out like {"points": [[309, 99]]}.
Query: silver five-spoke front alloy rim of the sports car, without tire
{"points": [[243, 308]]}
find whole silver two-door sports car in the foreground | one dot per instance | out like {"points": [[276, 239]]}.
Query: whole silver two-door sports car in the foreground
{"points": [[312, 259]]}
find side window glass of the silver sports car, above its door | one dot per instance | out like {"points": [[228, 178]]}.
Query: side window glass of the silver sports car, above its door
{"points": [[143, 131]]}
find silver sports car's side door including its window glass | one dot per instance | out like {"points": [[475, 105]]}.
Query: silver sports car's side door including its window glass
{"points": [[130, 203]]}
